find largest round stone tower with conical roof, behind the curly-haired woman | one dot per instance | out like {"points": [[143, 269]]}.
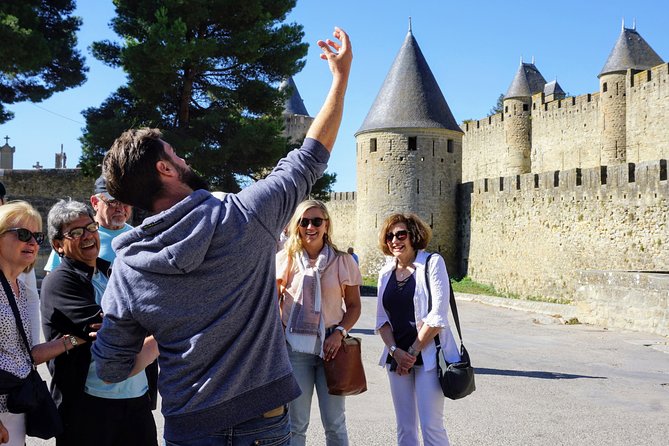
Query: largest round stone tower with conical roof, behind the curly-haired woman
{"points": [[409, 159]]}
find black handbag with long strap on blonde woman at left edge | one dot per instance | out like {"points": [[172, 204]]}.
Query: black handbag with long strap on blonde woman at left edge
{"points": [[31, 395]]}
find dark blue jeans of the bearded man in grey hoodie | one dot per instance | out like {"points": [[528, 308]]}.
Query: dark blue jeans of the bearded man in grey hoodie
{"points": [[258, 431]]}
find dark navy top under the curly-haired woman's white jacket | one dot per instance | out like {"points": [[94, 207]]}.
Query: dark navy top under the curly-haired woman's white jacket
{"points": [[398, 303]]}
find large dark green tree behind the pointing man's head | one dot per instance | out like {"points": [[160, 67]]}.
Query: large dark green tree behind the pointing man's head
{"points": [[205, 72]]}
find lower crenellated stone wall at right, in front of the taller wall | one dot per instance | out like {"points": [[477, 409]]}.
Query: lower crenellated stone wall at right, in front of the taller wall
{"points": [[531, 234]]}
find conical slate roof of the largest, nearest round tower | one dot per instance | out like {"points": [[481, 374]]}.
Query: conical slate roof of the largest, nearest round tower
{"points": [[410, 95]]}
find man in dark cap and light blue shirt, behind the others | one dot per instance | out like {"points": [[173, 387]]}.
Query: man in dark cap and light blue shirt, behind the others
{"points": [[111, 215]]}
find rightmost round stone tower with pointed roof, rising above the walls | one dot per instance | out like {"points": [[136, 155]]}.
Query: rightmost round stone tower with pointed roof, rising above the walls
{"points": [[631, 52]]}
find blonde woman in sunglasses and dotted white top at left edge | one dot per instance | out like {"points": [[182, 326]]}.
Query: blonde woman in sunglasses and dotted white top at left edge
{"points": [[20, 237]]}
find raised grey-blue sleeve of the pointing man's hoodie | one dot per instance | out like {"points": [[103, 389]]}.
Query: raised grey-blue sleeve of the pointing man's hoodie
{"points": [[274, 199]]}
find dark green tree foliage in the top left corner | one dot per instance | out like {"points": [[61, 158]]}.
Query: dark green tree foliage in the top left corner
{"points": [[37, 54]]}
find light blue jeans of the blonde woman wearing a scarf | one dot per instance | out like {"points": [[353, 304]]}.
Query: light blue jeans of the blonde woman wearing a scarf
{"points": [[309, 372]]}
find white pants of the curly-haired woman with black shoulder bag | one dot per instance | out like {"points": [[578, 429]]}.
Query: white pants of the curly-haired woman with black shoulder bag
{"points": [[418, 396]]}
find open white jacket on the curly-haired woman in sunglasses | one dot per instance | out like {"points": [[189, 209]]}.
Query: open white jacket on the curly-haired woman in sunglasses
{"points": [[438, 316]]}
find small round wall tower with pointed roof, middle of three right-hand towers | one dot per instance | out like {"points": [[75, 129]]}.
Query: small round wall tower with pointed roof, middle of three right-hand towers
{"points": [[517, 118]]}
